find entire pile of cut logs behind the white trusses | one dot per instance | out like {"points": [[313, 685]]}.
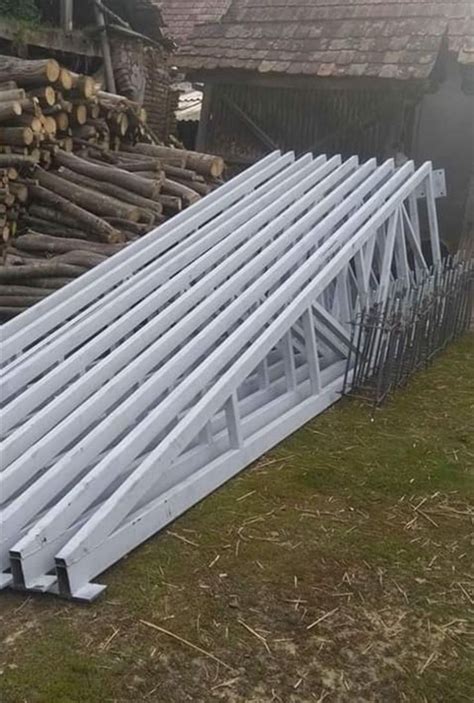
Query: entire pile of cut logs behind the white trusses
{"points": [[78, 180]]}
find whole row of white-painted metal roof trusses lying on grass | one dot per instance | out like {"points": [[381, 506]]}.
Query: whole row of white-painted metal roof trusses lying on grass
{"points": [[134, 392]]}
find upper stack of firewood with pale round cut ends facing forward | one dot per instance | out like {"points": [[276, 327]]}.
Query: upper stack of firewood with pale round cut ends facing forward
{"points": [[43, 105]]}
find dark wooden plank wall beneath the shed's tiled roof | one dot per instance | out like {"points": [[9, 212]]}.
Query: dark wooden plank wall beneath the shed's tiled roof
{"points": [[365, 122]]}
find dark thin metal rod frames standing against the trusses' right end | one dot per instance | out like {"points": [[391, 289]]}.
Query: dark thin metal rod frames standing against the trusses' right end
{"points": [[393, 340]]}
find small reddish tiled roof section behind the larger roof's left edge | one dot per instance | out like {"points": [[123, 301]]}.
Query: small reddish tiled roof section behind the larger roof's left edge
{"points": [[183, 16]]}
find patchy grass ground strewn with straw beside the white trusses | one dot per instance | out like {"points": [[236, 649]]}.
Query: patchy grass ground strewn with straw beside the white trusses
{"points": [[339, 568]]}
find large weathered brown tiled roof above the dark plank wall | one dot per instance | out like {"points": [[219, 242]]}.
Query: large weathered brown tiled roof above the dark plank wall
{"points": [[378, 38]]}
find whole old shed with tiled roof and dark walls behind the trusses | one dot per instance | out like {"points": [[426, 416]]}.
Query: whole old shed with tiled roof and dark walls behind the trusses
{"points": [[372, 78]]}
